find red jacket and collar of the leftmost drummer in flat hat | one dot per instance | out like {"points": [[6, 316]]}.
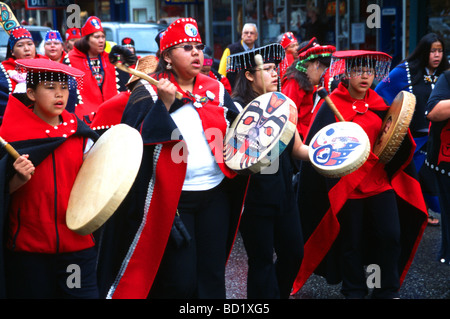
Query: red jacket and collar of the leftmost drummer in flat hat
{"points": [[35, 223]]}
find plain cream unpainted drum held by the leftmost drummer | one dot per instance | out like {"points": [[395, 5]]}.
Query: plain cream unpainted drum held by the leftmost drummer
{"points": [[104, 179]]}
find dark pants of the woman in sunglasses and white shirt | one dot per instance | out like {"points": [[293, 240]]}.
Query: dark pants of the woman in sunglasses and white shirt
{"points": [[197, 270]]}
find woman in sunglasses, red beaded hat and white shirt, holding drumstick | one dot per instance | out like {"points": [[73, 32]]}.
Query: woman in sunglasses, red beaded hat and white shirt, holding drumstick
{"points": [[172, 235]]}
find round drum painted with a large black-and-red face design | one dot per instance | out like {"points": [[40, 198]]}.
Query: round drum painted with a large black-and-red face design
{"points": [[260, 133]]}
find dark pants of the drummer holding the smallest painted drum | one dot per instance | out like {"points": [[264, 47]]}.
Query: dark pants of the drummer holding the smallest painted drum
{"points": [[381, 214]]}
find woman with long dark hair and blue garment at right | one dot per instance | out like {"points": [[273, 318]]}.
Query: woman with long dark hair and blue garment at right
{"points": [[418, 74]]}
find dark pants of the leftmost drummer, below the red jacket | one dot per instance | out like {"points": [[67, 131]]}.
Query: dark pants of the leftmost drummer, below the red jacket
{"points": [[51, 276]]}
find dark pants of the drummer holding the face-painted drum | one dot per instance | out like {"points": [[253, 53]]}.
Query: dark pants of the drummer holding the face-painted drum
{"points": [[264, 235]]}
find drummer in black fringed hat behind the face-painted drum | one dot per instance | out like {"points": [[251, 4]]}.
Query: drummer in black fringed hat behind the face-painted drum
{"points": [[270, 221]]}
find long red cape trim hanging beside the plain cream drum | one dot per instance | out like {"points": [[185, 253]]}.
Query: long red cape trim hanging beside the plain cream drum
{"points": [[138, 277]]}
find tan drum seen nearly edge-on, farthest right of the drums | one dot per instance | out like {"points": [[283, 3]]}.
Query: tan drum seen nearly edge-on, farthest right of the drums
{"points": [[395, 126]]}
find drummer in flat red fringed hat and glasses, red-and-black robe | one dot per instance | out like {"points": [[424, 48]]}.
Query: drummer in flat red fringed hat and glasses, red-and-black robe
{"points": [[339, 211]]}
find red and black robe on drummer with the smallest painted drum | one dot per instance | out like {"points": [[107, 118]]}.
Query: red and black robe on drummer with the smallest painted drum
{"points": [[325, 197]]}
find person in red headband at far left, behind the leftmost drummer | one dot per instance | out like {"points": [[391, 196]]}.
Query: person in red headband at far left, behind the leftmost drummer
{"points": [[20, 46]]}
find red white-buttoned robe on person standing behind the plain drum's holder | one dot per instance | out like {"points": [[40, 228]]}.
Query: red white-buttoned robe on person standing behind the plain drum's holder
{"points": [[90, 96]]}
